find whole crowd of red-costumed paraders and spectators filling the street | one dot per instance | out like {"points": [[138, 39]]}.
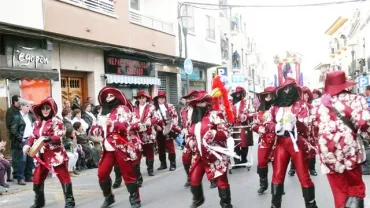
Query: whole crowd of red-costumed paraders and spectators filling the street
{"points": [[295, 126]]}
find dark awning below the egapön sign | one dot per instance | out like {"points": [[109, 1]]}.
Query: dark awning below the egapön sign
{"points": [[20, 73]]}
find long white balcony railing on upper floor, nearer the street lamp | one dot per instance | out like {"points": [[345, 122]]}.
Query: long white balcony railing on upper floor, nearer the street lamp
{"points": [[151, 23]]}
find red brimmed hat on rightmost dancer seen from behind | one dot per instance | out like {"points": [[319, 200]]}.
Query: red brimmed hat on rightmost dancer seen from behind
{"points": [[336, 82]]}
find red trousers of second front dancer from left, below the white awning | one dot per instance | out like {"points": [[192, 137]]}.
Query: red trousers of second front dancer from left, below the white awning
{"points": [[109, 159]]}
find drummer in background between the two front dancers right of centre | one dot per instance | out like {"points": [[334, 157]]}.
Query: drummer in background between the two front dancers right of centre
{"points": [[243, 112]]}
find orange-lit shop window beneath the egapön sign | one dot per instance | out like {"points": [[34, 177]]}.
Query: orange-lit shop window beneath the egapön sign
{"points": [[29, 87]]}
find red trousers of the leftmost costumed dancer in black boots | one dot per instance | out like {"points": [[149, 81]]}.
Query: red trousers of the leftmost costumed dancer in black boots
{"points": [[41, 172]]}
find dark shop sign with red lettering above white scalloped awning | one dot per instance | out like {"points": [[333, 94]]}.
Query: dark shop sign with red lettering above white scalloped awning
{"points": [[118, 65]]}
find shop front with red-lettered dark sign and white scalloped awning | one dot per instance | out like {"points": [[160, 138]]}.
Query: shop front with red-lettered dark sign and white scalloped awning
{"points": [[130, 73]]}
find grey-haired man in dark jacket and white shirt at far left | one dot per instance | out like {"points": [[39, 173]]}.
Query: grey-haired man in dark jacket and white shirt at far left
{"points": [[21, 129]]}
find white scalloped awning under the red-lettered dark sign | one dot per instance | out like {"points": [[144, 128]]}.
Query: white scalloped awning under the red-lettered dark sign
{"points": [[123, 79]]}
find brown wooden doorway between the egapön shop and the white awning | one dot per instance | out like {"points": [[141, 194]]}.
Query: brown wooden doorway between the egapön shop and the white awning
{"points": [[74, 86]]}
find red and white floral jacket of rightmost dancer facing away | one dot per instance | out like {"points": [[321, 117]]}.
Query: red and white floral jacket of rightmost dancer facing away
{"points": [[338, 146]]}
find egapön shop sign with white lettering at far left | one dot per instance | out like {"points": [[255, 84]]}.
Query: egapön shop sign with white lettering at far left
{"points": [[33, 58]]}
